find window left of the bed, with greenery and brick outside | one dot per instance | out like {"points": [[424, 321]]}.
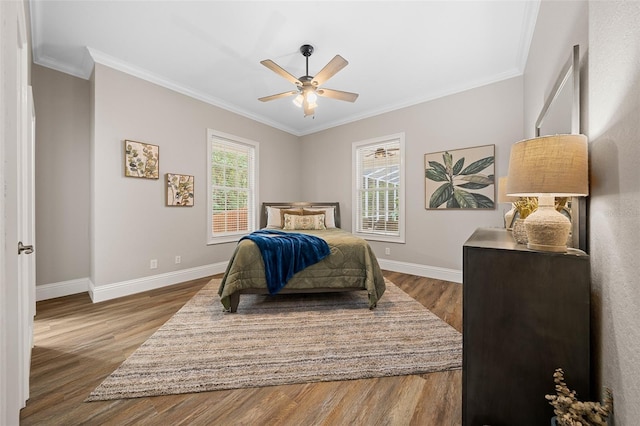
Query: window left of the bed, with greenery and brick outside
{"points": [[232, 187]]}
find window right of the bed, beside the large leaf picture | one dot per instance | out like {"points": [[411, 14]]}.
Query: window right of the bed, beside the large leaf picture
{"points": [[378, 189]]}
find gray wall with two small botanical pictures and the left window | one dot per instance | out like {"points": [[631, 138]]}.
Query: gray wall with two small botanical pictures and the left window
{"points": [[131, 224]]}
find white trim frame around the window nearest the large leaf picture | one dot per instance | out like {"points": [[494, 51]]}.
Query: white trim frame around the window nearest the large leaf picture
{"points": [[402, 191]]}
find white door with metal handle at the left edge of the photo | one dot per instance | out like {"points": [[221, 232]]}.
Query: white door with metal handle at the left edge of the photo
{"points": [[17, 276]]}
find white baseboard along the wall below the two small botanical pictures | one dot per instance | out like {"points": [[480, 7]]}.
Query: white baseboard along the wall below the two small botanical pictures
{"points": [[138, 285]]}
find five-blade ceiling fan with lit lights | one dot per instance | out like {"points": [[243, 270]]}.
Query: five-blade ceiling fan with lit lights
{"points": [[308, 88]]}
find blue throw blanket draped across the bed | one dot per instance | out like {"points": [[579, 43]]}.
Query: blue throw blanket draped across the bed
{"points": [[285, 253]]}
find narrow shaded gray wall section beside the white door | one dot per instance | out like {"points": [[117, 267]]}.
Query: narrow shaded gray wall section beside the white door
{"points": [[62, 175]]}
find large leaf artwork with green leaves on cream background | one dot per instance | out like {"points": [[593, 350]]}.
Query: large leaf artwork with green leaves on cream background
{"points": [[460, 178]]}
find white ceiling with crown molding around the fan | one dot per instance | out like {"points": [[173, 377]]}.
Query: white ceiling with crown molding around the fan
{"points": [[399, 53]]}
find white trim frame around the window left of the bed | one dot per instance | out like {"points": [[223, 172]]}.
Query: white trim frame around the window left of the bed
{"points": [[253, 213]]}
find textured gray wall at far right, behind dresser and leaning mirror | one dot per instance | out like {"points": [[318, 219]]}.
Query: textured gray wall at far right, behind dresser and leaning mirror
{"points": [[609, 38]]}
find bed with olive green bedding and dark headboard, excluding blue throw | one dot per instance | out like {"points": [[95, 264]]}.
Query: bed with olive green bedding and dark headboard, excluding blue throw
{"points": [[350, 266]]}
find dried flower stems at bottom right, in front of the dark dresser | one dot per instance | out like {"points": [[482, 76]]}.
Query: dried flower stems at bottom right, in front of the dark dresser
{"points": [[571, 412]]}
